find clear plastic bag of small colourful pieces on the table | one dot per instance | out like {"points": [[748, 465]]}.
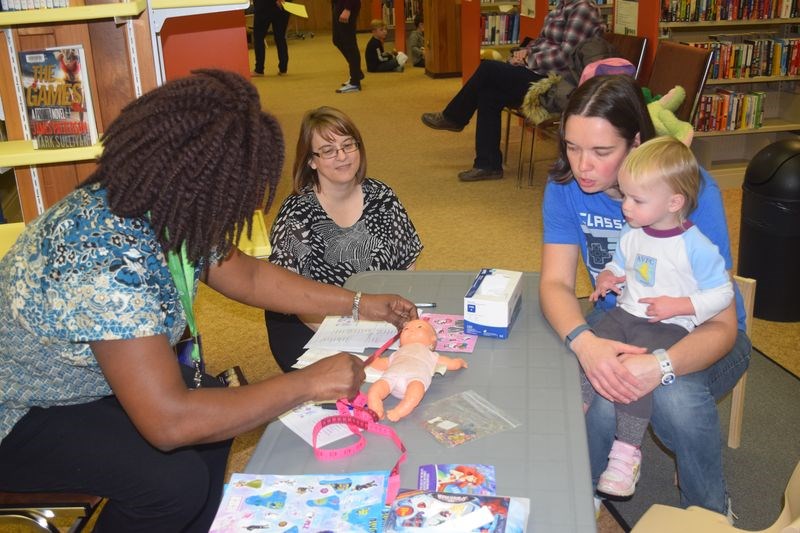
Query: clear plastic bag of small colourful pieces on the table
{"points": [[464, 417]]}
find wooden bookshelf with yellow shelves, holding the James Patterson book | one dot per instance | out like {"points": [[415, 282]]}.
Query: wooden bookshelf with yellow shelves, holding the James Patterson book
{"points": [[124, 53]]}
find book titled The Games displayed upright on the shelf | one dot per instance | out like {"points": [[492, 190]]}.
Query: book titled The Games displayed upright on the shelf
{"points": [[58, 101]]}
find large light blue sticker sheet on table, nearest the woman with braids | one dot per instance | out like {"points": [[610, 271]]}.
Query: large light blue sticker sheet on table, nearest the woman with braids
{"points": [[292, 503]]}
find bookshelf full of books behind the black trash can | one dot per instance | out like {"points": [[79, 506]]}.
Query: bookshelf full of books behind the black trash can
{"points": [[736, 82]]}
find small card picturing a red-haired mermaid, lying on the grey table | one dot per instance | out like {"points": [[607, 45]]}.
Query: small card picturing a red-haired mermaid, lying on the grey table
{"points": [[458, 478]]}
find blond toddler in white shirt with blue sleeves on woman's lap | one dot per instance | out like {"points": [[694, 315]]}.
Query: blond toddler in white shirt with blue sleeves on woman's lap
{"points": [[674, 280]]}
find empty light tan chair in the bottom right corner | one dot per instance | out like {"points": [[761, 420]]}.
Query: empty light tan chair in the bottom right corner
{"points": [[663, 518]]}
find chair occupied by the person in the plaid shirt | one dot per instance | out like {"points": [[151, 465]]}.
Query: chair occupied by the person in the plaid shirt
{"points": [[630, 47]]}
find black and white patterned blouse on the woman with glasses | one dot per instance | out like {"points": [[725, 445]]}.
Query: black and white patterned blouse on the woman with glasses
{"points": [[305, 239]]}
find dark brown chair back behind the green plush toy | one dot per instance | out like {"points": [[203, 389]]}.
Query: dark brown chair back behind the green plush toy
{"points": [[684, 65]]}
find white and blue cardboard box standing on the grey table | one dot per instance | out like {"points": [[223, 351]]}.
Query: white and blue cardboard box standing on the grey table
{"points": [[492, 302]]}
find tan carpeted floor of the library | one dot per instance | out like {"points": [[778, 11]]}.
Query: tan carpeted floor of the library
{"points": [[464, 226]]}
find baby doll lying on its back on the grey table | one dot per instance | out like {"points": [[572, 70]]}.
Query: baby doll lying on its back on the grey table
{"points": [[407, 373]]}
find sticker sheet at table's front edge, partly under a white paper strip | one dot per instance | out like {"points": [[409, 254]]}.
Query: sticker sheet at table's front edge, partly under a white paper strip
{"points": [[419, 510]]}
